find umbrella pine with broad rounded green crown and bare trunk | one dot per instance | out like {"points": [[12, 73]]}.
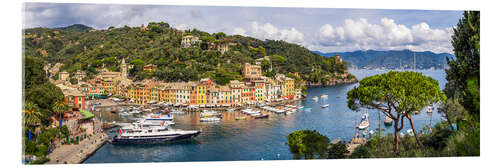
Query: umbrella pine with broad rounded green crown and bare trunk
{"points": [[398, 95]]}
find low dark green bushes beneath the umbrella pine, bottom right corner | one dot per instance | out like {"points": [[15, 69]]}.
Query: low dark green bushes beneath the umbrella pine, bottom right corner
{"points": [[441, 142]]}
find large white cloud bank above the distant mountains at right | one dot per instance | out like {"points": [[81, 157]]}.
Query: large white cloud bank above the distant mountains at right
{"points": [[387, 35]]}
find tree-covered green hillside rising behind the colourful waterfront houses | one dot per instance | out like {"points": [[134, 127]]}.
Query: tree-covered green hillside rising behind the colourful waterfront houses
{"points": [[160, 44]]}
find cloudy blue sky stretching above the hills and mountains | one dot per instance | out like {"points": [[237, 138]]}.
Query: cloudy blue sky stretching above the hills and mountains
{"points": [[322, 29]]}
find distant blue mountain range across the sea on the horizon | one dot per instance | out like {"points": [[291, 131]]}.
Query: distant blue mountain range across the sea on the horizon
{"points": [[392, 59]]}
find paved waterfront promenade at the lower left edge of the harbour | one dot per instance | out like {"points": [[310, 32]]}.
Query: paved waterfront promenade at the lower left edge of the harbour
{"points": [[74, 154]]}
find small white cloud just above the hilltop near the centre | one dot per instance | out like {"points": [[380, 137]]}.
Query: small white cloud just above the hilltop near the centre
{"points": [[269, 31]]}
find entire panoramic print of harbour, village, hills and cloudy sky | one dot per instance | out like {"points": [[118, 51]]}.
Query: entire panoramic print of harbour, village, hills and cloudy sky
{"points": [[196, 84]]}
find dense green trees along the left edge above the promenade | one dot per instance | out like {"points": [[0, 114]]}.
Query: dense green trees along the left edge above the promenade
{"points": [[42, 100]]}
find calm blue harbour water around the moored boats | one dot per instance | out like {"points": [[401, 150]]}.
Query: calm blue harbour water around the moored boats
{"points": [[231, 140]]}
